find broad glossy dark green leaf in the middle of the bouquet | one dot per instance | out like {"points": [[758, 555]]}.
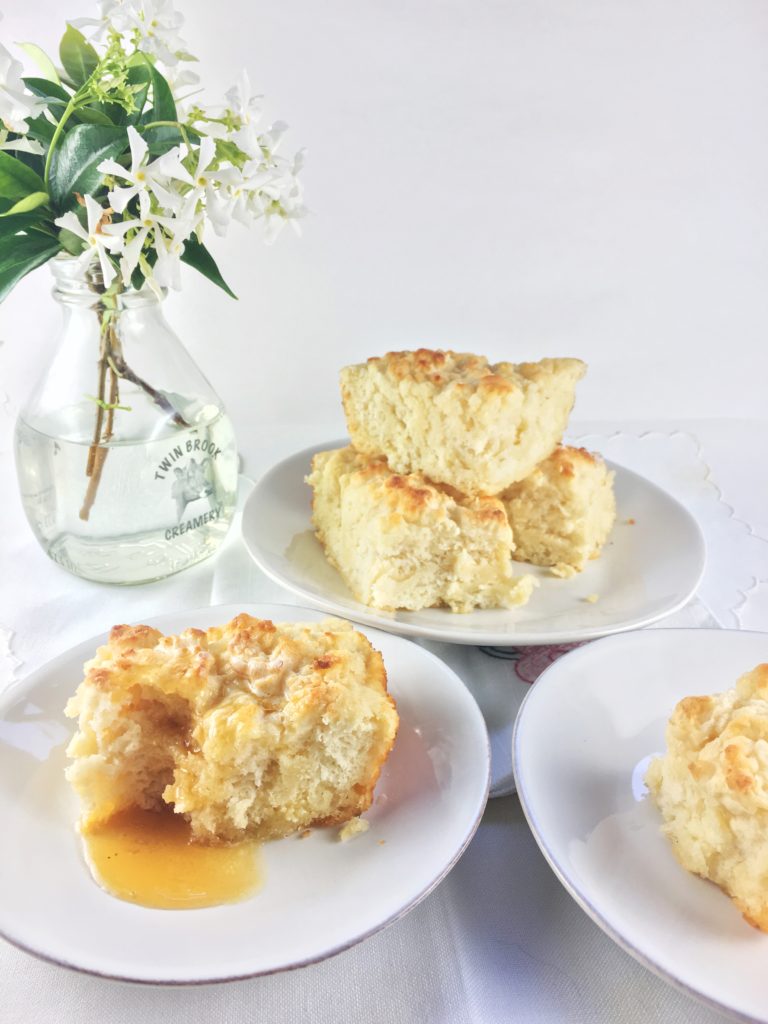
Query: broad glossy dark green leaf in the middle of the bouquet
{"points": [[74, 166]]}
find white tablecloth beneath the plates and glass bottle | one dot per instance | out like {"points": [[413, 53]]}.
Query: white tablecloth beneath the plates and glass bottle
{"points": [[499, 940]]}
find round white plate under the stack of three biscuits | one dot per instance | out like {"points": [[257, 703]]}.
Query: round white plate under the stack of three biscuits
{"points": [[648, 571]]}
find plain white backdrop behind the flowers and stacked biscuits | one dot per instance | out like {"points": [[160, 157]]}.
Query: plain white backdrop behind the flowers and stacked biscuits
{"points": [[516, 178]]}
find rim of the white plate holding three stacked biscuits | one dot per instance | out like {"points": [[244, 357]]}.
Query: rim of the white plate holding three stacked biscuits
{"points": [[371, 617]]}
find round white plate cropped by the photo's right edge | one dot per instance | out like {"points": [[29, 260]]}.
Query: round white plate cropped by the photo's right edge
{"points": [[584, 738]]}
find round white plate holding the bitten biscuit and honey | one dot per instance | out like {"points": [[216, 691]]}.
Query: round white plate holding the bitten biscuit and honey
{"points": [[320, 895]]}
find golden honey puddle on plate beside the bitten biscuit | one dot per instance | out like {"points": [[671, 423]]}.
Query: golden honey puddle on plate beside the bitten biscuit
{"points": [[148, 858]]}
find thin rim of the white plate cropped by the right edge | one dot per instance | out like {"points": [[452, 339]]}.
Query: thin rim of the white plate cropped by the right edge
{"points": [[644, 959]]}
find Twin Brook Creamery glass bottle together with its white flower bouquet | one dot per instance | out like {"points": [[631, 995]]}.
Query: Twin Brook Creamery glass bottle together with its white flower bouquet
{"points": [[112, 164]]}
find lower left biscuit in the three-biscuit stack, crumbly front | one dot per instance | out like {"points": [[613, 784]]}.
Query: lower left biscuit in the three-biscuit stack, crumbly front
{"points": [[402, 542]]}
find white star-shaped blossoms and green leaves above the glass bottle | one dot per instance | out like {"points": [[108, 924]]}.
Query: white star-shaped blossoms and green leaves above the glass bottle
{"points": [[110, 158]]}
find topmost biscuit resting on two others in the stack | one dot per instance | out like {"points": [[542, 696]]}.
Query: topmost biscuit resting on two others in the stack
{"points": [[457, 419]]}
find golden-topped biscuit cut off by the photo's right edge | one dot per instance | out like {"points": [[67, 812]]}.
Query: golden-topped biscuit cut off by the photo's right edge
{"points": [[712, 790]]}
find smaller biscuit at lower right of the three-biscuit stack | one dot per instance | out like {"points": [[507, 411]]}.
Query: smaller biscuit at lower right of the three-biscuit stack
{"points": [[563, 514]]}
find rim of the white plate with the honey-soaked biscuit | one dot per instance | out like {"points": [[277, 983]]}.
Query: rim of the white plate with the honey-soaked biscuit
{"points": [[29, 682]]}
